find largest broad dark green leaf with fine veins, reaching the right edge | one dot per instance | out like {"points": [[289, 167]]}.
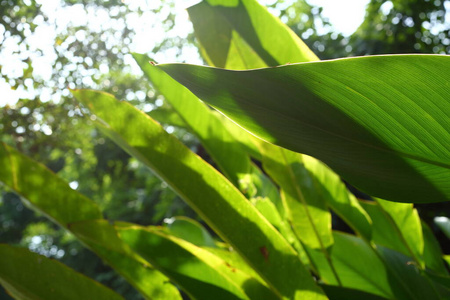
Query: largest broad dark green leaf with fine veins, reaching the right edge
{"points": [[379, 121]]}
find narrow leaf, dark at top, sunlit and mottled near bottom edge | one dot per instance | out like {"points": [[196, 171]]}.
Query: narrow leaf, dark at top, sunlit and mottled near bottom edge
{"points": [[101, 237]]}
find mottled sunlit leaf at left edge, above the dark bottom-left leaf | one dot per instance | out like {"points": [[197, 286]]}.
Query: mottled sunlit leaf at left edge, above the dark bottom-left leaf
{"points": [[57, 200]]}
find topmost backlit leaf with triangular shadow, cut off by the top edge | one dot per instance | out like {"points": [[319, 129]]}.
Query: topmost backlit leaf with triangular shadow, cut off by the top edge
{"points": [[244, 35]]}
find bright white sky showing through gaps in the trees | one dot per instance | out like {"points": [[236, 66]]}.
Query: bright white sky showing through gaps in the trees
{"points": [[344, 15]]}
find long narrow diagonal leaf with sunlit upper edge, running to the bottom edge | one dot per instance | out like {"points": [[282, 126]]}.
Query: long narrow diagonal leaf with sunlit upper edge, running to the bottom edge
{"points": [[215, 199]]}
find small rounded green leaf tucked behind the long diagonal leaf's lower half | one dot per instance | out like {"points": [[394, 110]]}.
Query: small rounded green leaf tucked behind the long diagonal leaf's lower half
{"points": [[191, 231]]}
